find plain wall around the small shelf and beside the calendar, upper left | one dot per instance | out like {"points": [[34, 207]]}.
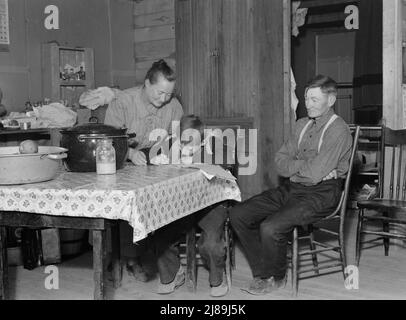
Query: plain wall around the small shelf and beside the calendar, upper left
{"points": [[104, 25]]}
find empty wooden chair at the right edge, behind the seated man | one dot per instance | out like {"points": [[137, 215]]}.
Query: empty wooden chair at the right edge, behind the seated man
{"points": [[386, 209]]}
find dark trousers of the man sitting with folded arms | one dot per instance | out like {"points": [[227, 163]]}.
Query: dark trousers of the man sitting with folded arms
{"points": [[265, 222]]}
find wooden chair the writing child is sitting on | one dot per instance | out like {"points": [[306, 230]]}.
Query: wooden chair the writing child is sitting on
{"points": [[191, 258]]}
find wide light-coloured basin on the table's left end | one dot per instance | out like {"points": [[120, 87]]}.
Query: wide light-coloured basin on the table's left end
{"points": [[16, 168]]}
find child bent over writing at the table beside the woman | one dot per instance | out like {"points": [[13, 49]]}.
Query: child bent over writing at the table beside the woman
{"points": [[211, 220]]}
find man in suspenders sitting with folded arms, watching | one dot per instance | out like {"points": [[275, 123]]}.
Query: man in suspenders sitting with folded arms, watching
{"points": [[315, 160]]}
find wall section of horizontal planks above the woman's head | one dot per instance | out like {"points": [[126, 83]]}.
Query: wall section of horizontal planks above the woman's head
{"points": [[154, 34]]}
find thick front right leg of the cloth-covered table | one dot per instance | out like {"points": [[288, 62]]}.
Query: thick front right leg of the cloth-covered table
{"points": [[99, 254]]}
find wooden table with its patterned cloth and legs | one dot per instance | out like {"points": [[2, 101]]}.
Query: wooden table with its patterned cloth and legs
{"points": [[148, 197]]}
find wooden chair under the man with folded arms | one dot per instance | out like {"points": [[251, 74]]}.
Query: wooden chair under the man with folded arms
{"points": [[322, 247]]}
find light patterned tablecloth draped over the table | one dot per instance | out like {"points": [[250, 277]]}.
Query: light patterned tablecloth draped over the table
{"points": [[148, 197]]}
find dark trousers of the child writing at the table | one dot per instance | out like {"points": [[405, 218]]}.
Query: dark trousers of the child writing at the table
{"points": [[211, 243]]}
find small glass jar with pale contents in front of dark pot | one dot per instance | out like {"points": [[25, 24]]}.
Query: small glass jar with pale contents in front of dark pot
{"points": [[105, 157]]}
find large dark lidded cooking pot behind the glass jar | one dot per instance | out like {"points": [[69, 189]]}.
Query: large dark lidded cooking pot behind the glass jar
{"points": [[81, 141]]}
